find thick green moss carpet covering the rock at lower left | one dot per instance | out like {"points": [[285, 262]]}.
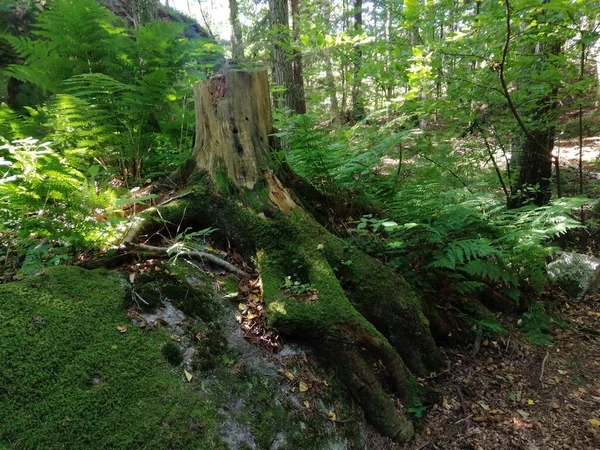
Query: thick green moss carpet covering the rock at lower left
{"points": [[70, 379]]}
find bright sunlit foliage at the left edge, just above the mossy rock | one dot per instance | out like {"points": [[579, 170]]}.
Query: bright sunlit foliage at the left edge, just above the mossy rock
{"points": [[45, 198]]}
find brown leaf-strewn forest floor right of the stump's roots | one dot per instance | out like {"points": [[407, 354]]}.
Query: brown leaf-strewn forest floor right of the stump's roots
{"points": [[516, 395]]}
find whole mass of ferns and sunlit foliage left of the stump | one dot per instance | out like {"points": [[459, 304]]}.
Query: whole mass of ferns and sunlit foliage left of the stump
{"points": [[117, 104]]}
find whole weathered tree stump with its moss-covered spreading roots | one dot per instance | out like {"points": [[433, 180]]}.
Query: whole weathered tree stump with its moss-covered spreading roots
{"points": [[361, 317]]}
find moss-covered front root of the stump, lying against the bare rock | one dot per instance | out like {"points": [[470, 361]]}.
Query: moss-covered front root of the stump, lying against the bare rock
{"points": [[343, 337]]}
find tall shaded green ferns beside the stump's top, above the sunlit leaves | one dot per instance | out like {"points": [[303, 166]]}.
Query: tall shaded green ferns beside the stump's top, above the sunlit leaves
{"points": [[123, 94]]}
